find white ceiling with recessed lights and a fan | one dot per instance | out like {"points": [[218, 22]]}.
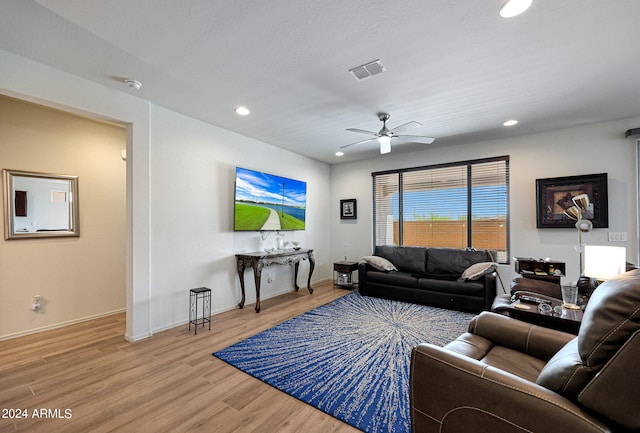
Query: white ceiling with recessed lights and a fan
{"points": [[455, 66]]}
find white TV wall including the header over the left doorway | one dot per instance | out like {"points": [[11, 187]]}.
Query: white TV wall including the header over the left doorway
{"points": [[188, 162]]}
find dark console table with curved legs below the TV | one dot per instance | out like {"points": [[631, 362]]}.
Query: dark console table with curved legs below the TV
{"points": [[258, 260]]}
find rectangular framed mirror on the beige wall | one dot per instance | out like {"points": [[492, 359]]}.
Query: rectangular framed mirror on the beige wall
{"points": [[40, 205]]}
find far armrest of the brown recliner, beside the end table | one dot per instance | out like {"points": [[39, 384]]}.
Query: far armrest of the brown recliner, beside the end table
{"points": [[539, 342]]}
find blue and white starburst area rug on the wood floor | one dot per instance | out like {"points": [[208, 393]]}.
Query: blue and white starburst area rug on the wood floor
{"points": [[349, 358]]}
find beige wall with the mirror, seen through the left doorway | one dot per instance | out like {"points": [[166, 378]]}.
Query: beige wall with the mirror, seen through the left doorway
{"points": [[76, 277]]}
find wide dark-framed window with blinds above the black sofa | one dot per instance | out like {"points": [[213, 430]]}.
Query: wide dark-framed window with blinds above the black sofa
{"points": [[457, 205]]}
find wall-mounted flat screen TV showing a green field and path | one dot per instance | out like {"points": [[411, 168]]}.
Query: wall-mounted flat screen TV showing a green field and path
{"points": [[268, 202]]}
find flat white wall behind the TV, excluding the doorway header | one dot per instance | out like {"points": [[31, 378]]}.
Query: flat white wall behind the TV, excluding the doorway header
{"points": [[192, 199]]}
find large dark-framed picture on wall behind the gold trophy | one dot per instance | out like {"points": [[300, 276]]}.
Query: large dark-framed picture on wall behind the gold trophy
{"points": [[554, 195]]}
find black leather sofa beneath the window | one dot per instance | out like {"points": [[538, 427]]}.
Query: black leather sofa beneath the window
{"points": [[430, 276]]}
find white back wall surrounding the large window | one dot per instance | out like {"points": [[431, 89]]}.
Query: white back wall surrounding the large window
{"points": [[593, 148]]}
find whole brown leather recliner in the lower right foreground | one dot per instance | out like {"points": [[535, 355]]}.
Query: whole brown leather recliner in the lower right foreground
{"points": [[508, 376]]}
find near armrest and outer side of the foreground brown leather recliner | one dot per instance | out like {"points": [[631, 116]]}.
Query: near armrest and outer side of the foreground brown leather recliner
{"points": [[450, 392]]}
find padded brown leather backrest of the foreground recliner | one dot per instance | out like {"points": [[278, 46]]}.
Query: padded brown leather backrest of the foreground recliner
{"points": [[611, 317]]}
